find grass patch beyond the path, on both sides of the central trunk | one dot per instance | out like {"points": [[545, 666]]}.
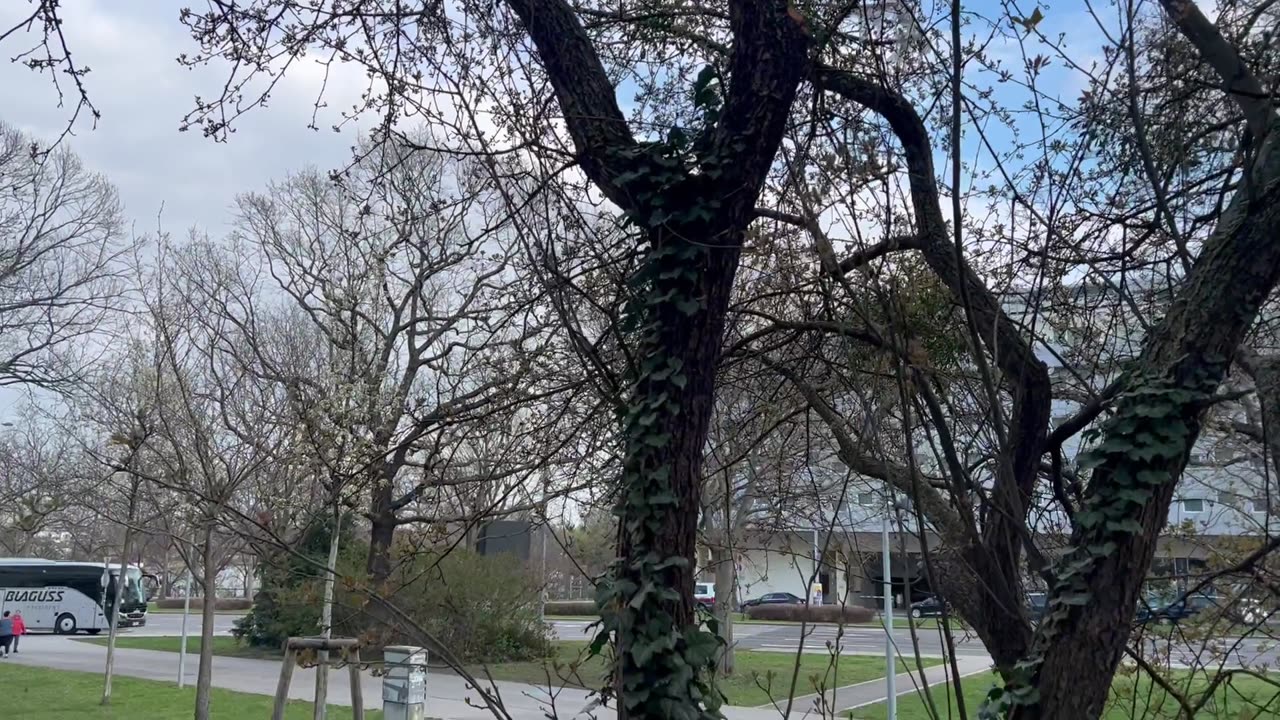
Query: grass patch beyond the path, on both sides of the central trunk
{"points": [[760, 676]]}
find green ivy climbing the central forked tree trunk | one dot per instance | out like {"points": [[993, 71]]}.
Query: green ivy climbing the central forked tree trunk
{"points": [[665, 671]]}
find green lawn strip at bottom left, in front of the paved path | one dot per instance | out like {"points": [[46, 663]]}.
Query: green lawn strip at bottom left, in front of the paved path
{"points": [[39, 694]]}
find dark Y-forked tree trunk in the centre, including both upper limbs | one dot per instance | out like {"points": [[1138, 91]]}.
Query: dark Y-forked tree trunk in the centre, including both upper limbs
{"points": [[697, 220]]}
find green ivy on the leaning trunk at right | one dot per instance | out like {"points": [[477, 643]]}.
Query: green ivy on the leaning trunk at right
{"points": [[1145, 441]]}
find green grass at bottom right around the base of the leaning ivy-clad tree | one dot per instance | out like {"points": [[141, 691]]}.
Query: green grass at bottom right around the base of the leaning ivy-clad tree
{"points": [[1132, 696]]}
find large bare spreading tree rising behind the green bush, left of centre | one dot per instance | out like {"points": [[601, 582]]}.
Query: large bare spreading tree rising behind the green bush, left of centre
{"points": [[409, 329]]}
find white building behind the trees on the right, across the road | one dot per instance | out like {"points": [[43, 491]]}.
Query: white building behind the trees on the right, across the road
{"points": [[1222, 496]]}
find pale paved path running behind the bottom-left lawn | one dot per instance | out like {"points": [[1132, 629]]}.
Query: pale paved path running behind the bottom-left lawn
{"points": [[449, 696]]}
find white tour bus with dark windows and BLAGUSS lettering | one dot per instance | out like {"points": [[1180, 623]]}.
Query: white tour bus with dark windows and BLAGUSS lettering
{"points": [[70, 598]]}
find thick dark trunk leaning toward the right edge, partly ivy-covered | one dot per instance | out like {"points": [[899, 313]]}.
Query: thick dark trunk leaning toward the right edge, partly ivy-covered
{"points": [[1078, 646]]}
